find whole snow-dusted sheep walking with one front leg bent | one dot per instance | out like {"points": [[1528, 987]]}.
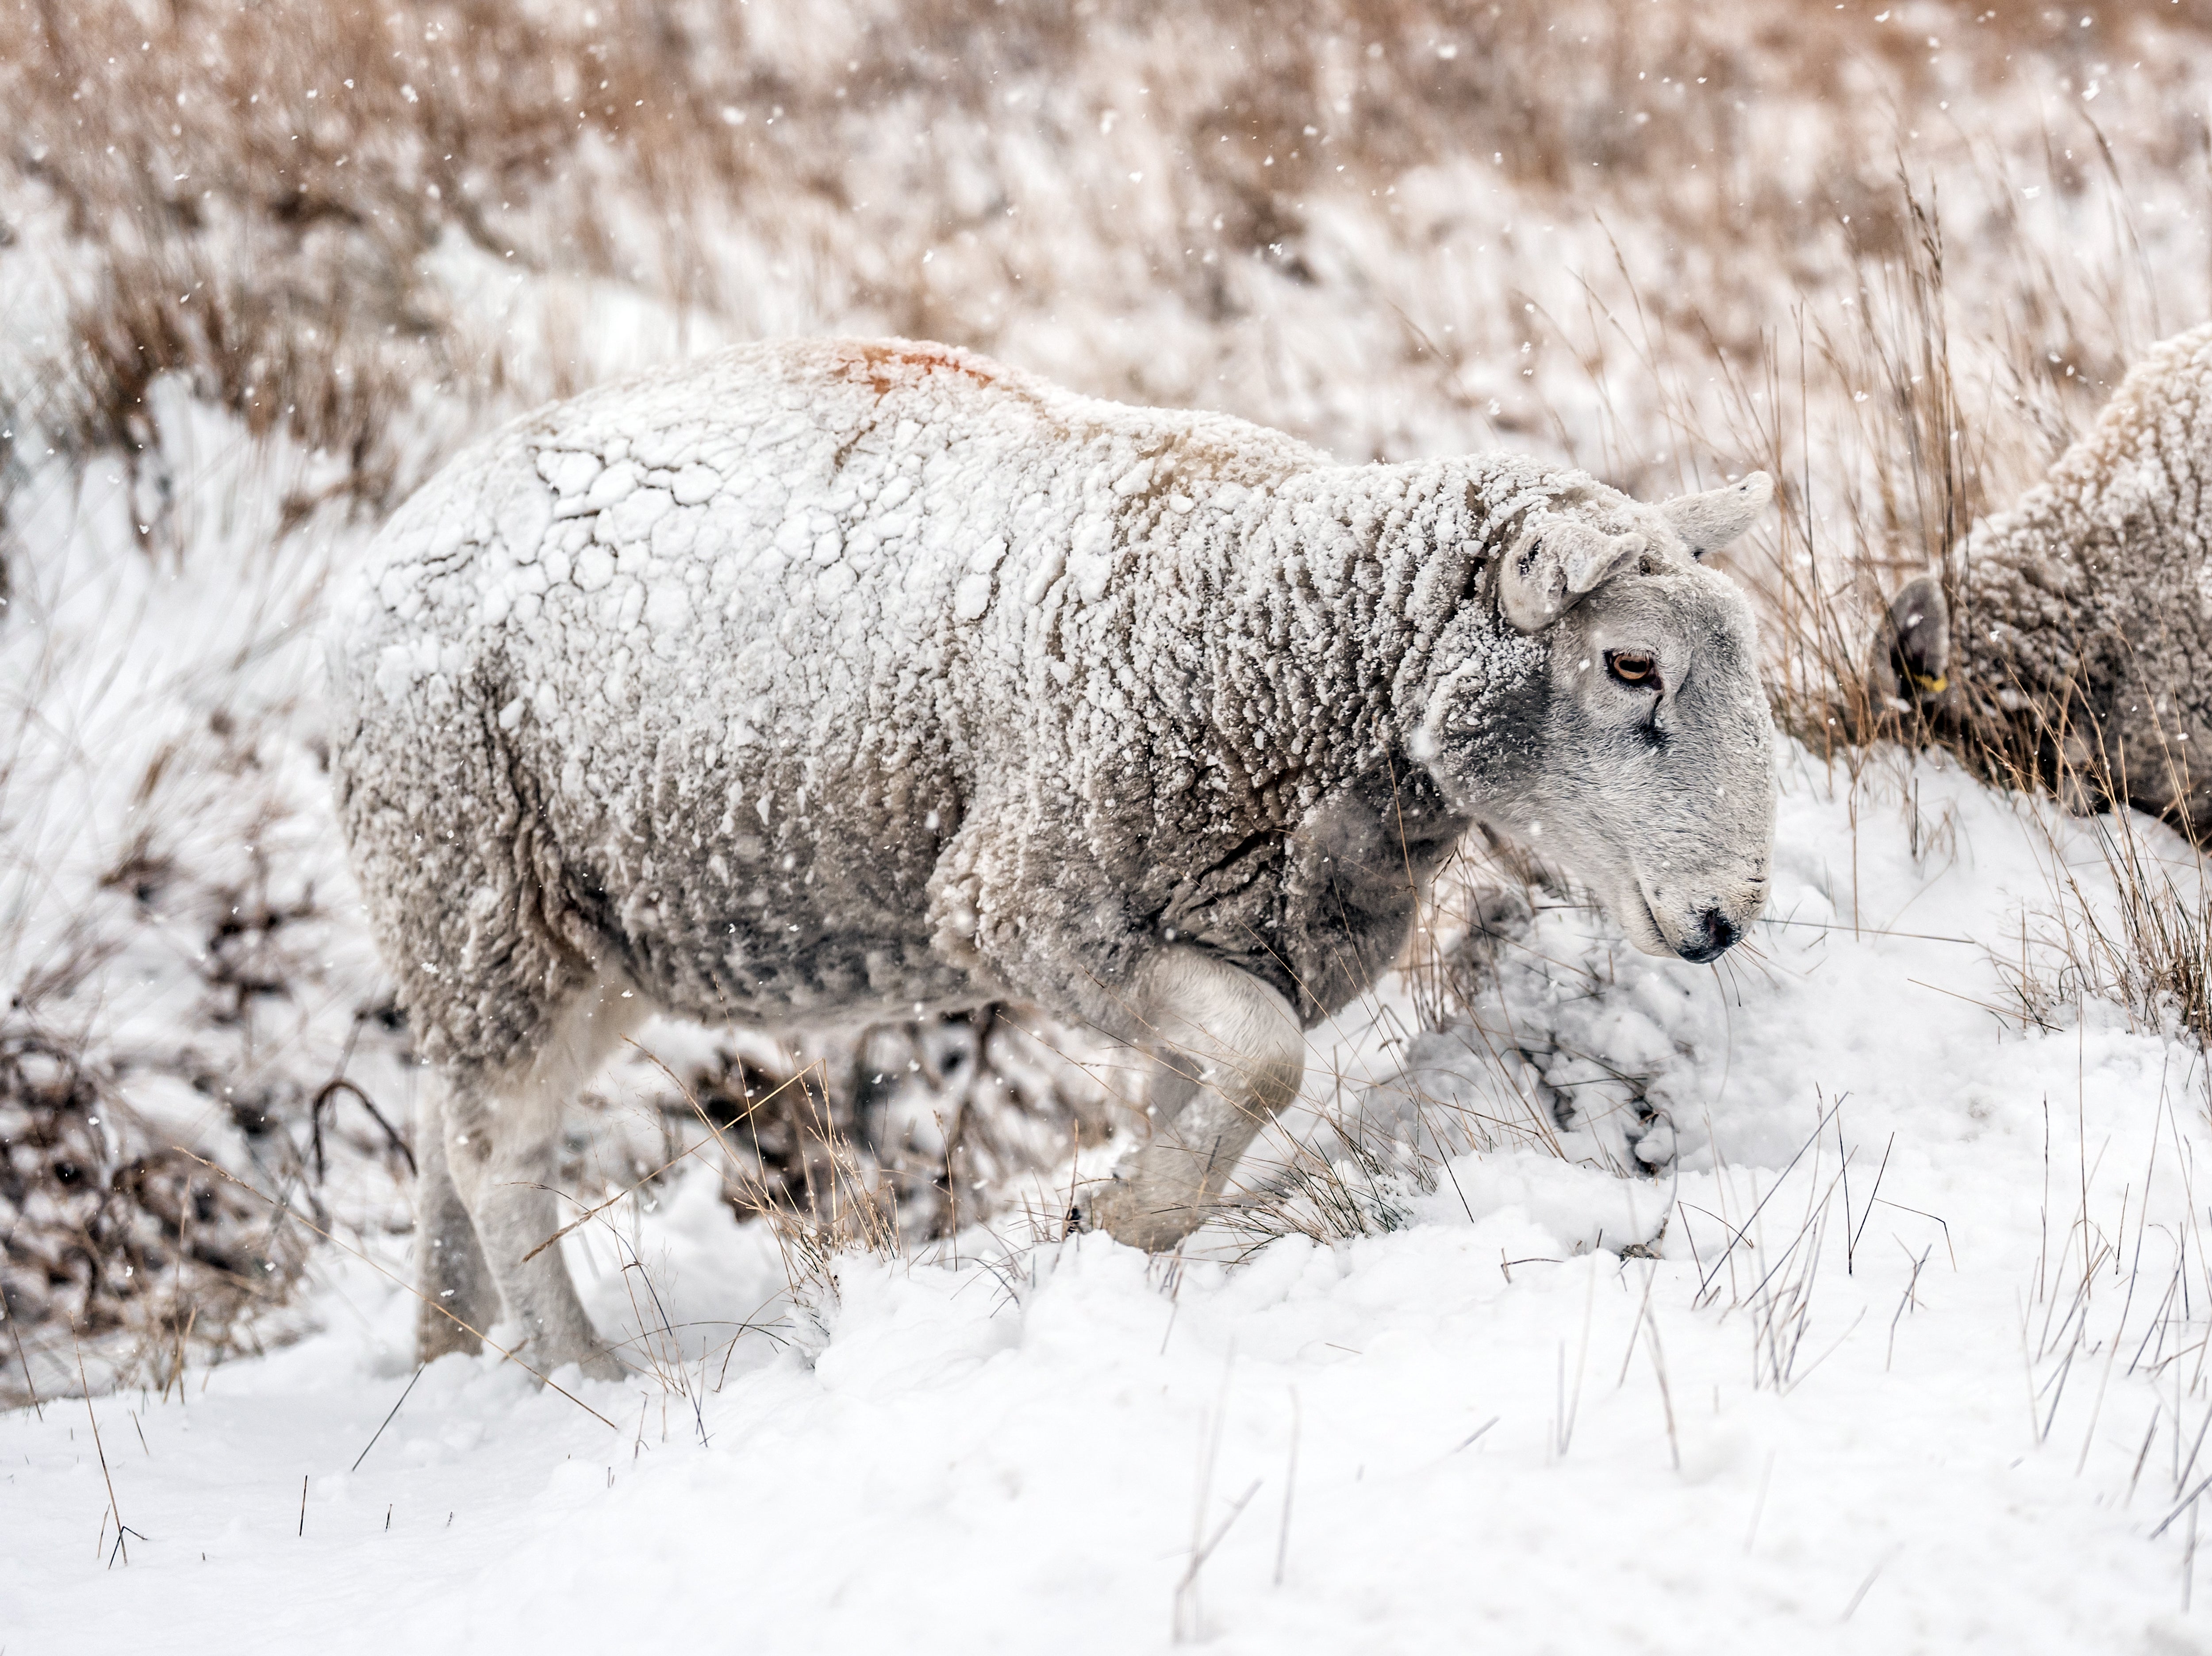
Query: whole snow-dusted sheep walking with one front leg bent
{"points": [[820, 684]]}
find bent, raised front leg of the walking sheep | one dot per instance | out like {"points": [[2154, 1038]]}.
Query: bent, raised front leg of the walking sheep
{"points": [[1229, 1058]]}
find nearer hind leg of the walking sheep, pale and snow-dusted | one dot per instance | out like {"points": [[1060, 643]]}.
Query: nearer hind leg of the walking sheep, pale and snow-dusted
{"points": [[499, 1140]]}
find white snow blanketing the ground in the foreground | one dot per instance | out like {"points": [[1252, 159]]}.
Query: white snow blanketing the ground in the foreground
{"points": [[1903, 1350]]}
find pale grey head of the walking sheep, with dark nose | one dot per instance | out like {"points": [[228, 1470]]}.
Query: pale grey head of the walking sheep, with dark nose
{"points": [[1634, 744]]}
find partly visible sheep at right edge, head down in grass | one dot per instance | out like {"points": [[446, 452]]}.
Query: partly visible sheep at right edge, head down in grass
{"points": [[2076, 638]]}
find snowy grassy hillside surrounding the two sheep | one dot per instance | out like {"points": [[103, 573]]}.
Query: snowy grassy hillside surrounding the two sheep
{"points": [[1848, 1295]]}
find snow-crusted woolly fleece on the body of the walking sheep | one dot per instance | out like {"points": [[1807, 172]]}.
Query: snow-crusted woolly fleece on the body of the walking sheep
{"points": [[817, 682]]}
